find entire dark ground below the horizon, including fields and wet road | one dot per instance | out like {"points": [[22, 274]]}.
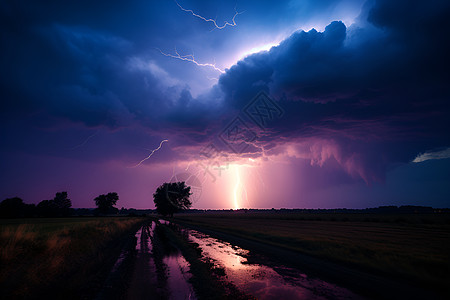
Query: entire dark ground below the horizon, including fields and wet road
{"points": [[228, 255]]}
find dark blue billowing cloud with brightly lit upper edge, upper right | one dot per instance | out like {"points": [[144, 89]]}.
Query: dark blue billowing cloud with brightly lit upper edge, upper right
{"points": [[325, 66]]}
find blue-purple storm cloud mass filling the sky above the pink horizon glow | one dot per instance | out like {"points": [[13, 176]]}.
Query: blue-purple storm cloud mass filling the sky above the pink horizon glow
{"points": [[362, 94]]}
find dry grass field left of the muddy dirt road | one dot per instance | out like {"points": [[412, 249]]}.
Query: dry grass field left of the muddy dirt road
{"points": [[58, 256]]}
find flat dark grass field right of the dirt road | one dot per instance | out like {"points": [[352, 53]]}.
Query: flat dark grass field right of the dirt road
{"points": [[412, 247]]}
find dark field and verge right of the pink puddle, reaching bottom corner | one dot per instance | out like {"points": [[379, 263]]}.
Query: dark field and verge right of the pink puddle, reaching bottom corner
{"points": [[403, 251]]}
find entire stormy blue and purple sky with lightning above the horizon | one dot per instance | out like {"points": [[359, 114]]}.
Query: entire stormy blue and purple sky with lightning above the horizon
{"points": [[295, 104]]}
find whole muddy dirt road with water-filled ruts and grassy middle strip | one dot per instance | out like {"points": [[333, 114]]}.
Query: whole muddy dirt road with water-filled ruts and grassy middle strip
{"points": [[159, 266]]}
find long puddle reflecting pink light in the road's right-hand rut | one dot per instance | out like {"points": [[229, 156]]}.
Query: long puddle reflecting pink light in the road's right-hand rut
{"points": [[261, 281]]}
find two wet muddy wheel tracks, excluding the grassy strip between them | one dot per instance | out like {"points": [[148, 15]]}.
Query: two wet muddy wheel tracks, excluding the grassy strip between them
{"points": [[160, 271]]}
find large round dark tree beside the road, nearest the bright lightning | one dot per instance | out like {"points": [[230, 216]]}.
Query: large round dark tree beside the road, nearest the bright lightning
{"points": [[172, 197]]}
